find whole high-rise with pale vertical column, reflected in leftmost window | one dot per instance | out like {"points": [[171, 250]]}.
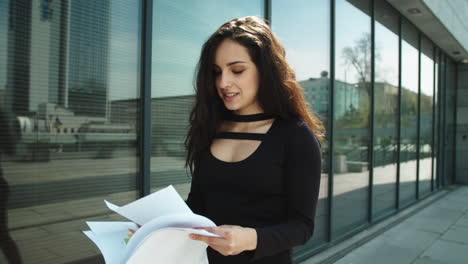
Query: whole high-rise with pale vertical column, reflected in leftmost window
{"points": [[58, 53]]}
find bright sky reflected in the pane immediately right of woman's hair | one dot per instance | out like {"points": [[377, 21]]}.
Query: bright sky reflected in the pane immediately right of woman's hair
{"points": [[307, 46]]}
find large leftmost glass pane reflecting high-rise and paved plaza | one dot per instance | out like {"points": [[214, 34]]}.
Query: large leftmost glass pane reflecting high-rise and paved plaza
{"points": [[66, 70]]}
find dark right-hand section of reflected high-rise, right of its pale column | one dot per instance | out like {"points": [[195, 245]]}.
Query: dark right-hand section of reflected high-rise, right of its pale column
{"points": [[88, 57]]}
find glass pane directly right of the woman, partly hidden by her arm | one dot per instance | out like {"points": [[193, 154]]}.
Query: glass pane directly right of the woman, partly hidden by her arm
{"points": [[309, 57]]}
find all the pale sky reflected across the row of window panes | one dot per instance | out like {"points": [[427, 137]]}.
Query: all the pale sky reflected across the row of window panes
{"points": [[181, 27]]}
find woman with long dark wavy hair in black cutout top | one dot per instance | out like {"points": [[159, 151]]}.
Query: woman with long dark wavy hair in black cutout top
{"points": [[253, 148]]}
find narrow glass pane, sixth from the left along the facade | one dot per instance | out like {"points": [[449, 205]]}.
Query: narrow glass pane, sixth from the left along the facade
{"points": [[409, 113]]}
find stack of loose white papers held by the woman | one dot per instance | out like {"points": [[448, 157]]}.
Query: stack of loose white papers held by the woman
{"points": [[159, 232]]}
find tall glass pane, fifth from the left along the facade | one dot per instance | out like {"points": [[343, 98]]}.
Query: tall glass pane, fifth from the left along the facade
{"points": [[386, 108]]}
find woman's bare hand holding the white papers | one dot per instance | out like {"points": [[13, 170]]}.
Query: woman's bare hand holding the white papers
{"points": [[233, 240]]}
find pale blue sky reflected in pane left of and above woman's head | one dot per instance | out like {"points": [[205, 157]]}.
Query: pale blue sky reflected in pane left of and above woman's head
{"points": [[179, 30]]}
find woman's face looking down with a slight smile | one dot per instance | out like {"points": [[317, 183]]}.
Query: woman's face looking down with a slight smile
{"points": [[237, 78]]}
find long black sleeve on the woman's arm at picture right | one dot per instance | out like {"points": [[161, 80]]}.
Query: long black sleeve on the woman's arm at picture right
{"points": [[302, 179]]}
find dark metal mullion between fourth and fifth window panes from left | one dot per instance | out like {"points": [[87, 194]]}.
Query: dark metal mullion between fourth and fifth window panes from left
{"points": [[372, 109]]}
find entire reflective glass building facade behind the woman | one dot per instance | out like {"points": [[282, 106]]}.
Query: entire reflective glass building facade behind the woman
{"points": [[101, 91]]}
